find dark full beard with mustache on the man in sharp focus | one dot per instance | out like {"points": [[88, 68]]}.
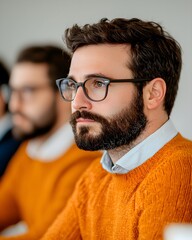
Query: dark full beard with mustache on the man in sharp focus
{"points": [[119, 130]]}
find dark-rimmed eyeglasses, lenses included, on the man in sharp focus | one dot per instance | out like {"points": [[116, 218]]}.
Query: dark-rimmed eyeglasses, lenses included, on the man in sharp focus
{"points": [[95, 88]]}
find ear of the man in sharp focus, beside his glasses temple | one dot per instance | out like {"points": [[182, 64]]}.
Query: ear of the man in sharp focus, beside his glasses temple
{"points": [[154, 93]]}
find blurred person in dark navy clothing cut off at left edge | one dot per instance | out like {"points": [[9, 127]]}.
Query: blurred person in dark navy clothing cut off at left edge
{"points": [[8, 145]]}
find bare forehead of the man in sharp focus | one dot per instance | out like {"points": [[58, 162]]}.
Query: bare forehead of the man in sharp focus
{"points": [[105, 59]]}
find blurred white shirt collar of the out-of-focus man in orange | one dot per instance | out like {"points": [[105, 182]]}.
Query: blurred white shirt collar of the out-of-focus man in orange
{"points": [[53, 147]]}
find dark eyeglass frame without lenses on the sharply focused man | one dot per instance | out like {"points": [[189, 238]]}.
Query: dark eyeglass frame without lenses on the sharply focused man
{"points": [[108, 80]]}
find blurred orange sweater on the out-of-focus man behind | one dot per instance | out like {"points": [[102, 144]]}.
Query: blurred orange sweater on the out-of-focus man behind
{"points": [[36, 191]]}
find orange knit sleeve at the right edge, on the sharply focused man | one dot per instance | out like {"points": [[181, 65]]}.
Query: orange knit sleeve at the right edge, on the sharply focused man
{"points": [[166, 198]]}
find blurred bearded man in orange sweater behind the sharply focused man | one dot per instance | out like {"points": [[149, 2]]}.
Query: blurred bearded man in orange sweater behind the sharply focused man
{"points": [[42, 174]]}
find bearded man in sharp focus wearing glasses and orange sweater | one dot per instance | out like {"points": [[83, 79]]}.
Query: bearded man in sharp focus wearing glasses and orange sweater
{"points": [[122, 82]]}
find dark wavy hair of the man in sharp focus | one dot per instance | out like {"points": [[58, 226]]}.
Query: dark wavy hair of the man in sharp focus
{"points": [[155, 53]]}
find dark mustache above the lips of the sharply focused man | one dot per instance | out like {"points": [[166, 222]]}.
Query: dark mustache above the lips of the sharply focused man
{"points": [[87, 115]]}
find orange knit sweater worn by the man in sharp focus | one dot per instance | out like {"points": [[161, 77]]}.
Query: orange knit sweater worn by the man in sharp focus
{"points": [[132, 206]]}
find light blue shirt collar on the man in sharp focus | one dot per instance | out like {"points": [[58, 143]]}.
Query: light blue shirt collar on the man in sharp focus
{"points": [[141, 152]]}
